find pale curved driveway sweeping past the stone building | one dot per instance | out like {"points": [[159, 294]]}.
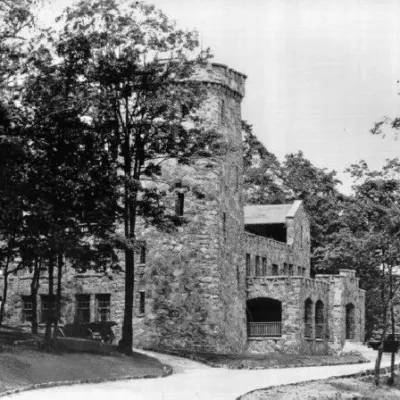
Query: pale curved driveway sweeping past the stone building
{"points": [[195, 381]]}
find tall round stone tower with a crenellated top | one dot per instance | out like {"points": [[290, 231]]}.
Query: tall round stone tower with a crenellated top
{"points": [[194, 279]]}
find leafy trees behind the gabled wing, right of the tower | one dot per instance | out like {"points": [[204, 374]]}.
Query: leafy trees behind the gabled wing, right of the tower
{"points": [[267, 181]]}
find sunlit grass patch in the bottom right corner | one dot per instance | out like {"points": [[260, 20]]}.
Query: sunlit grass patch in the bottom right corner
{"points": [[343, 388]]}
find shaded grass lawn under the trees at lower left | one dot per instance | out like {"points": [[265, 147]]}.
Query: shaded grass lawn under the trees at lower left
{"points": [[22, 366]]}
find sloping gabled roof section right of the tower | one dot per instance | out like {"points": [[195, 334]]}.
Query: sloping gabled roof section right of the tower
{"points": [[270, 214]]}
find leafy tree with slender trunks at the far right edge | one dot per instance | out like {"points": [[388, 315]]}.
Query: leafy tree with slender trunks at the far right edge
{"points": [[368, 241]]}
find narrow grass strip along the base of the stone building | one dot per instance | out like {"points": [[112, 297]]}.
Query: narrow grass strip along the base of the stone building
{"points": [[273, 360]]}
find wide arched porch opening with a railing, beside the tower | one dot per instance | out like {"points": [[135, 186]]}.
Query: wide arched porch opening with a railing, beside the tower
{"points": [[264, 316]]}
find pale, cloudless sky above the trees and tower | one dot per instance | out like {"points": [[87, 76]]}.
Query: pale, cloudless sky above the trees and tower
{"points": [[320, 72]]}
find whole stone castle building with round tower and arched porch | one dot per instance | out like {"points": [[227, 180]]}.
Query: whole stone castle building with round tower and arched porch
{"points": [[234, 278]]}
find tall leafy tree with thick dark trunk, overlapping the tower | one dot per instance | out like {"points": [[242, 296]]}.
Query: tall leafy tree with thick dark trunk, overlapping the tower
{"points": [[136, 66]]}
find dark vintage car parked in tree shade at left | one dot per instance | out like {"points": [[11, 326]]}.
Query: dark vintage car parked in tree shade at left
{"points": [[101, 330]]}
